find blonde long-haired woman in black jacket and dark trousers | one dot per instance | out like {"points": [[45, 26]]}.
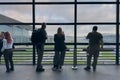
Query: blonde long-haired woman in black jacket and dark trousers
{"points": [[60, 48]]}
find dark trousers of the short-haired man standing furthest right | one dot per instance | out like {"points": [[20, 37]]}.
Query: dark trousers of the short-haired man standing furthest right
{"points": [[92, 52]]}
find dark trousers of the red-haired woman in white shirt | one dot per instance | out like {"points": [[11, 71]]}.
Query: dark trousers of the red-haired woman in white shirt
{"points": [[8, 59]]}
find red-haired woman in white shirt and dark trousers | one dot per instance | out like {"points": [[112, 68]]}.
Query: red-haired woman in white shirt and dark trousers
{"points": [[7, 51]]}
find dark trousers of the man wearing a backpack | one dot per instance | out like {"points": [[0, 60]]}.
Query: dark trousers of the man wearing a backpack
{"points": [[40, 49]]}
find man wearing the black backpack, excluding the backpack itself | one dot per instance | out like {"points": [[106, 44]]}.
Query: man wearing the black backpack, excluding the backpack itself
{"points": [[40, 46]]}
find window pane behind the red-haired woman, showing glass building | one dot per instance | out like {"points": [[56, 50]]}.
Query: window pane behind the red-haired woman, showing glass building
{"points": [[20, 33]]}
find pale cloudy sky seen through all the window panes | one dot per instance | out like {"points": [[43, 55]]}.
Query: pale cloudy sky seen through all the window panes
{"points": [[64, 14]]}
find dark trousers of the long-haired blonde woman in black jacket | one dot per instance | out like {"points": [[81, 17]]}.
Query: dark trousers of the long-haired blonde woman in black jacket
{"points": [[58, 60]]}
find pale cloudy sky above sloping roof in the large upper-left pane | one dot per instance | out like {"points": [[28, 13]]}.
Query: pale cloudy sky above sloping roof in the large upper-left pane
{"points": [[21, 13]]}
